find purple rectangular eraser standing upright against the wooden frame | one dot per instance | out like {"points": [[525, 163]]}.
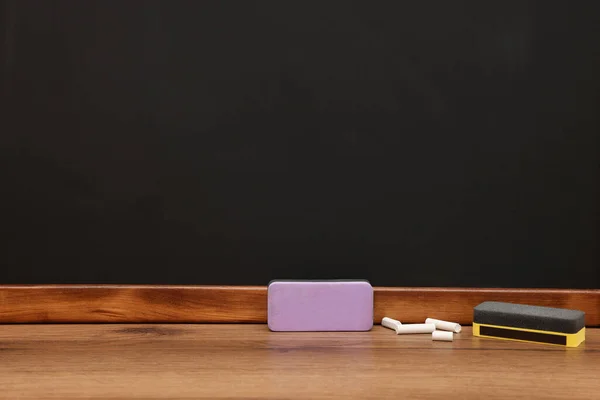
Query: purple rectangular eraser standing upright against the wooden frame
{"points": [[336, 305]]}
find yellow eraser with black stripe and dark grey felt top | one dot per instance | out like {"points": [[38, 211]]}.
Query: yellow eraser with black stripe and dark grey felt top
{"points": [[558, 326]]}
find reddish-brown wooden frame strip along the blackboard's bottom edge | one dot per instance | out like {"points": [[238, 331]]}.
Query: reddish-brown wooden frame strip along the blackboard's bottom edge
{"points": [[248, 304]]}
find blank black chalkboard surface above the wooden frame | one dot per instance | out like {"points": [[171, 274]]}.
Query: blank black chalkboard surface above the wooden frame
{"points": [[430, 143]]}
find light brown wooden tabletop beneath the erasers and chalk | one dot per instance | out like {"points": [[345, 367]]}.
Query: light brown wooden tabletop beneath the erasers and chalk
{"points": [[249, 362]]}
